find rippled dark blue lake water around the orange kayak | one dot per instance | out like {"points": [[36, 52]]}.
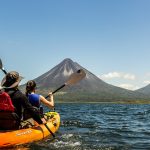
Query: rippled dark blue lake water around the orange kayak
{"points": [[100, 127]]}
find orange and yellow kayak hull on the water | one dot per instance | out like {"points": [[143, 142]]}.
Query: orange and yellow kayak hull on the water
{"points": [[36, 133]]}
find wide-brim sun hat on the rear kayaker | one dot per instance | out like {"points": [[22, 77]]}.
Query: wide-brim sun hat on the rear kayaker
{"points": [[11, 80]]}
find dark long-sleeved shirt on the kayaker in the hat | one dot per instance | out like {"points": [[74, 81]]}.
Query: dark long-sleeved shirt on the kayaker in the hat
{"points": [[20, 101]]}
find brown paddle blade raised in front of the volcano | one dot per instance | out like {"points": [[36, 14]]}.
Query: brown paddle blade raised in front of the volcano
{"points": [[76, 77]]}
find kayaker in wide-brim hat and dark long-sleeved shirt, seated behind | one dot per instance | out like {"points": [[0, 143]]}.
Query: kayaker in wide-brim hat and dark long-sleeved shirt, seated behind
{"points": [[19, 101]]}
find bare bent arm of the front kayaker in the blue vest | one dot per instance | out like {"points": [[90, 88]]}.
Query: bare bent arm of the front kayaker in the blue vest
{"points": [[49, 103]]}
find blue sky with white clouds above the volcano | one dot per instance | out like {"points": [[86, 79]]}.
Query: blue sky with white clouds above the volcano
{"points": [[110, 38]]}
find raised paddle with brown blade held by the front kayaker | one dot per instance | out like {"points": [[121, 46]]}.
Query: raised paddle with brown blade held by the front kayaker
{"points": [[73, 79]]}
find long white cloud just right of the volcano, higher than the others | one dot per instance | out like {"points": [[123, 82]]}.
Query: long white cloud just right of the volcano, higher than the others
{"points": [[112, 75]]}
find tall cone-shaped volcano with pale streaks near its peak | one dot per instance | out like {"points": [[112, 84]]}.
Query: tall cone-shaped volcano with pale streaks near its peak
{"points": [[90, 88]]}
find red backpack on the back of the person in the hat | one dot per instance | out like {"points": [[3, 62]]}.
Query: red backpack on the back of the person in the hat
{"points": [[6, 102]]}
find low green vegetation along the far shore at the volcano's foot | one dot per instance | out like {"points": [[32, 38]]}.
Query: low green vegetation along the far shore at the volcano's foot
{"points": [[93, 97]]}
